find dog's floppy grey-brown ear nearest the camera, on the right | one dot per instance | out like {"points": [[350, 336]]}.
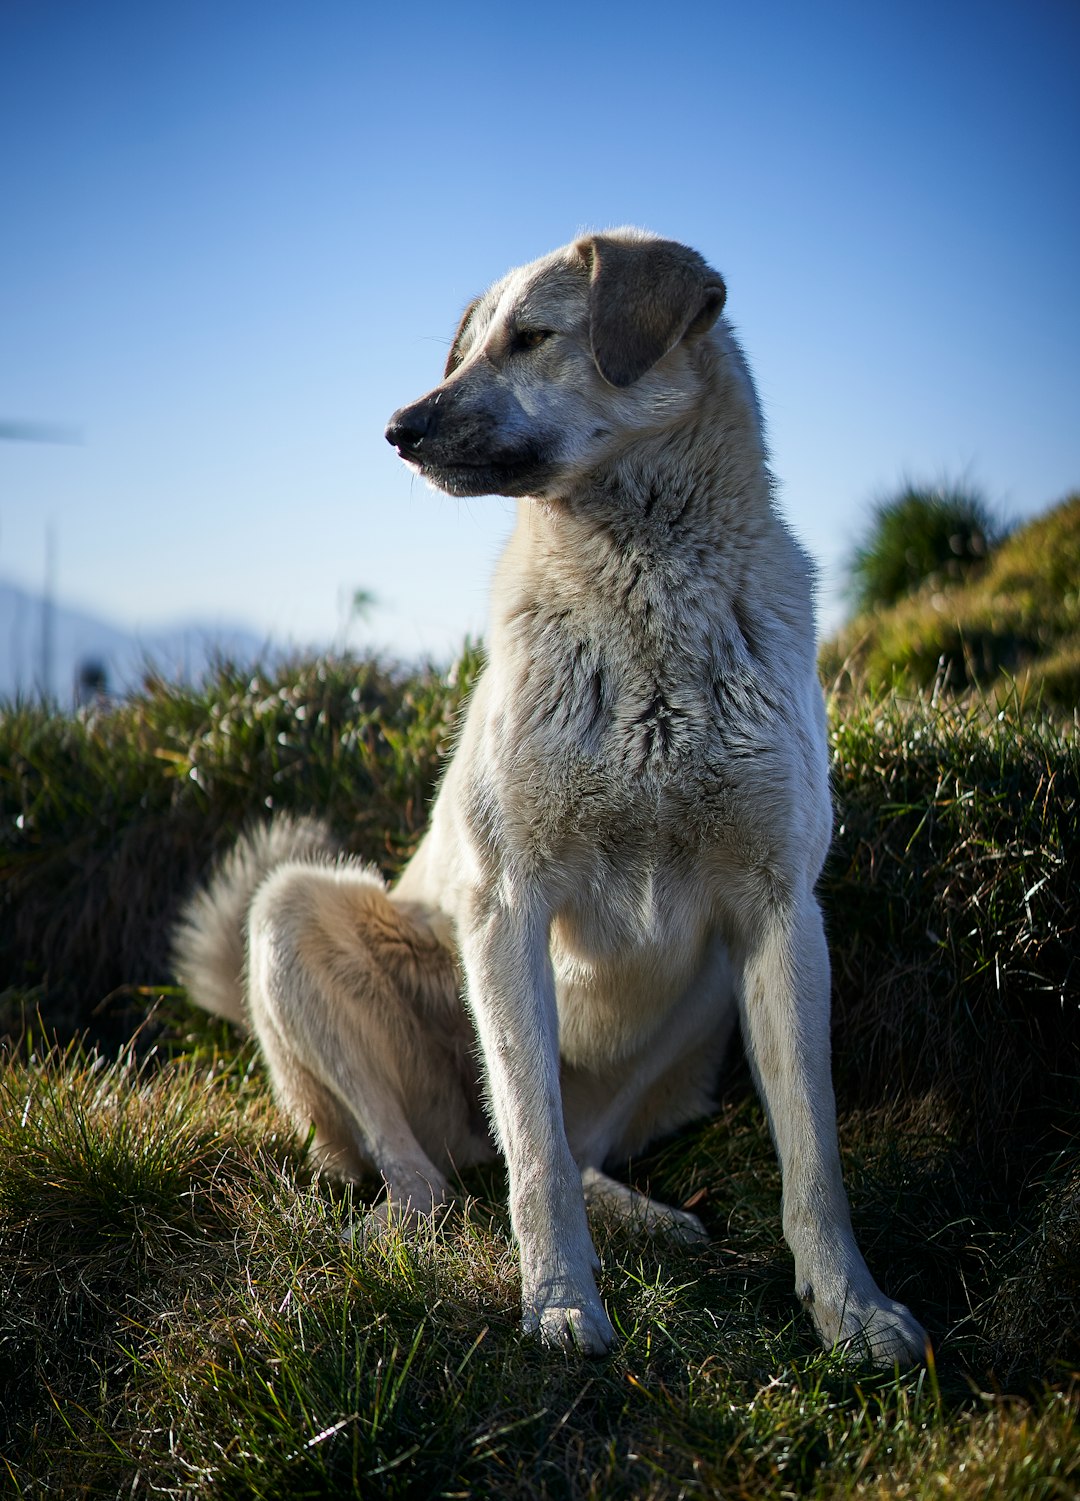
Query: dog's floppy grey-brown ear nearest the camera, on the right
{"points": [[644, 298]]}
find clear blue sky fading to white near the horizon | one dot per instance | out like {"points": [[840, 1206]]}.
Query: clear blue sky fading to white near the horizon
{"points": [[235, 236]]}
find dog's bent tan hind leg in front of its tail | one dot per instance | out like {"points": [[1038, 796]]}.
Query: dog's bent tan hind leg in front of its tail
{"points": [[355, 1003]]}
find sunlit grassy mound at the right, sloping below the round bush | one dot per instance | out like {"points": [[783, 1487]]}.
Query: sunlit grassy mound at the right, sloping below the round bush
{"points": [[1016, 619]]}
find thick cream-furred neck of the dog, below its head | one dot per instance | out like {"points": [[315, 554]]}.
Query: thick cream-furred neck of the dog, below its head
{"points": [[676, 538]]}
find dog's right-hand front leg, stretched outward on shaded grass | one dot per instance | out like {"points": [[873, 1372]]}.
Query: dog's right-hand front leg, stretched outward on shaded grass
{"points": [[787, 1023]]}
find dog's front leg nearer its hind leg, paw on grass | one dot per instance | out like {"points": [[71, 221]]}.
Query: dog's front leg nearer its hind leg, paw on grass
{"points": [[512, 994]]}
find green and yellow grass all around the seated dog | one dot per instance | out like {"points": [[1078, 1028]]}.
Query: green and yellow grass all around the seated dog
{"points": [[179, 1311]]}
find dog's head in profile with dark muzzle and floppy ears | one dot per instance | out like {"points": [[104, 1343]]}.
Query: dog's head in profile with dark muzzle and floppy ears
{"points": [[562, 364]]}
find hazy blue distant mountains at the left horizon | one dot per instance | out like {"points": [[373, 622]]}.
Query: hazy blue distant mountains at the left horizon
{"points": [[76, 648]]}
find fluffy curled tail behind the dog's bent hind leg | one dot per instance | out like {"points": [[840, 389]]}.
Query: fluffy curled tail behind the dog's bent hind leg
{"points": [[209, 940]]}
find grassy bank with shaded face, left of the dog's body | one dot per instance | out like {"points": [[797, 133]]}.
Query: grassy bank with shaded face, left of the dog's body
{"points": [[109, 817]]}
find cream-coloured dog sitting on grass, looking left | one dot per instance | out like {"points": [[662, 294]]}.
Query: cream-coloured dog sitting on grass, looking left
{"points": [[623, 852]]}
